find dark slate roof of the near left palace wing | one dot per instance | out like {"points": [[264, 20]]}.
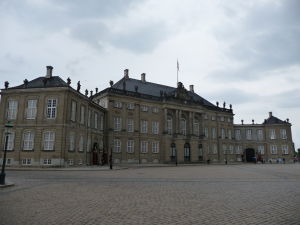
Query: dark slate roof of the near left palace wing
{"points": [[43, 82]]}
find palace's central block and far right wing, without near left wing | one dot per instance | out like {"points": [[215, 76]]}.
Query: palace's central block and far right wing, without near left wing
{"points": [[153, 123]]}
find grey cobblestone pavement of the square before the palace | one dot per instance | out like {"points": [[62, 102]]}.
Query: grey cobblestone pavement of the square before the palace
{"points": [[210, 194]]}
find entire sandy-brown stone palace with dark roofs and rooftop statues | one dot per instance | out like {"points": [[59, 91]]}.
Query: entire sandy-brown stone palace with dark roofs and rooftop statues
{"points": [[133, 121]]}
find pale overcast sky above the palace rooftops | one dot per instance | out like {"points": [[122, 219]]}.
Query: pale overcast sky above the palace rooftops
{"points": [[246, 53]]}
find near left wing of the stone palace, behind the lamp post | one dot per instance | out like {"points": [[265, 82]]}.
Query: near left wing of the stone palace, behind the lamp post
{"points": [[54, 125]]}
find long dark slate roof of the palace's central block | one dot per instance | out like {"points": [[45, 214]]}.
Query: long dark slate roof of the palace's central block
{"points": [[159, 91]]}
